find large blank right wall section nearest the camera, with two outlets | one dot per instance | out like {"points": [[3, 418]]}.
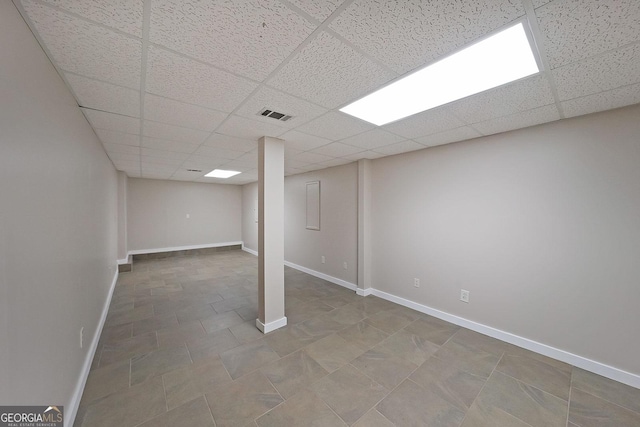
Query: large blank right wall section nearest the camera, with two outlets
{"points": [[541, 225]]}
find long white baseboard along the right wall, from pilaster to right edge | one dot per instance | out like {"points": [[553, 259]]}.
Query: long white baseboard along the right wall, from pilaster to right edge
{"points": [[611, 372]]}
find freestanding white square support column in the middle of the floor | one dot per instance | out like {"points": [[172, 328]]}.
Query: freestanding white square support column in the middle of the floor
{"points": [[270, 234]]}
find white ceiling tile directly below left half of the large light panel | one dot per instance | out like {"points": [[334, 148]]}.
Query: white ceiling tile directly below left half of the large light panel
{"points": [[425, 123]]}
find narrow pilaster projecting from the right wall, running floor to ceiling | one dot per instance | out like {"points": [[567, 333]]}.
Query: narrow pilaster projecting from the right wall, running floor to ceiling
{"points": [[364, 227]]}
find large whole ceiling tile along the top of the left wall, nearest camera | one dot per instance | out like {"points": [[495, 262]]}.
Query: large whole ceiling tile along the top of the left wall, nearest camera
{"points": [[85, 48]]}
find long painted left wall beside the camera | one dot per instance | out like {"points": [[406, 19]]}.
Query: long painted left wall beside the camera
{"points": [[58, 226]]}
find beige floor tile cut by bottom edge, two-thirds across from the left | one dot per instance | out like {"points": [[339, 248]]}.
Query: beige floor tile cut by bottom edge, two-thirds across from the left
{"points": [[411, 405]]}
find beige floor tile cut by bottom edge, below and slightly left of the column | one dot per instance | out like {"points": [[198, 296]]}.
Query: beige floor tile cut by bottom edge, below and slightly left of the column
{"points": [[240, 402]]}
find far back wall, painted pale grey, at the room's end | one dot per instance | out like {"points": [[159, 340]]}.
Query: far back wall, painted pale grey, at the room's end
{"points": [[157, 214]]}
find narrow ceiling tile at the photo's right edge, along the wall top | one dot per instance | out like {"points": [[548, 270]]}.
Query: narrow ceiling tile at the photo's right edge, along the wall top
{"points": [[602, 101]]}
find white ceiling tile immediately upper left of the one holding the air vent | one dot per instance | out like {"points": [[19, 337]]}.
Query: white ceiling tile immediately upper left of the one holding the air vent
{"points": [[184, 79]]}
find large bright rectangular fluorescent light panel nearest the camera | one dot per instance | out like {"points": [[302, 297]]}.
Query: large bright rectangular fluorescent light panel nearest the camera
{"points": [[494, 61]]}
